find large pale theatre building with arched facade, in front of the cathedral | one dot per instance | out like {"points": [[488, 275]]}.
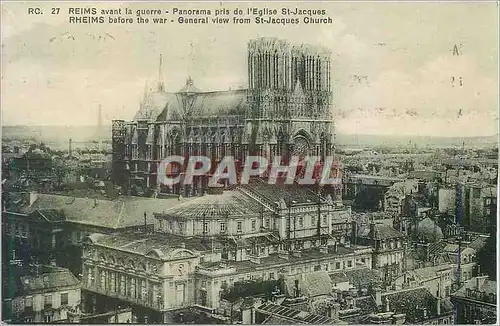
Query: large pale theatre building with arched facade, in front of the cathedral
{"points": [[207, 244]]}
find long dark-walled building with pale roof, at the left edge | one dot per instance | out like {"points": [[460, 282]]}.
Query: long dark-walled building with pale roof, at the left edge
{"points": [[49, 228]]}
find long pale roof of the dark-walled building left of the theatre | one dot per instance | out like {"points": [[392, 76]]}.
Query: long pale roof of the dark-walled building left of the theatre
{"points": [[120, 213]]}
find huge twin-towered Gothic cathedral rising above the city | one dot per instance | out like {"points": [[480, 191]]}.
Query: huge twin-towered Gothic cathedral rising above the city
{"points": [[284, 112]]}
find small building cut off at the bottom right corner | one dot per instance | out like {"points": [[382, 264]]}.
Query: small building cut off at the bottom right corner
{"points": [[476, 301]]}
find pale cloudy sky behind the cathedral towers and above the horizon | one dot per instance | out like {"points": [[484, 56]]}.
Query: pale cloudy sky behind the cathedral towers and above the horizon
{"points": [[56, 73]]}
